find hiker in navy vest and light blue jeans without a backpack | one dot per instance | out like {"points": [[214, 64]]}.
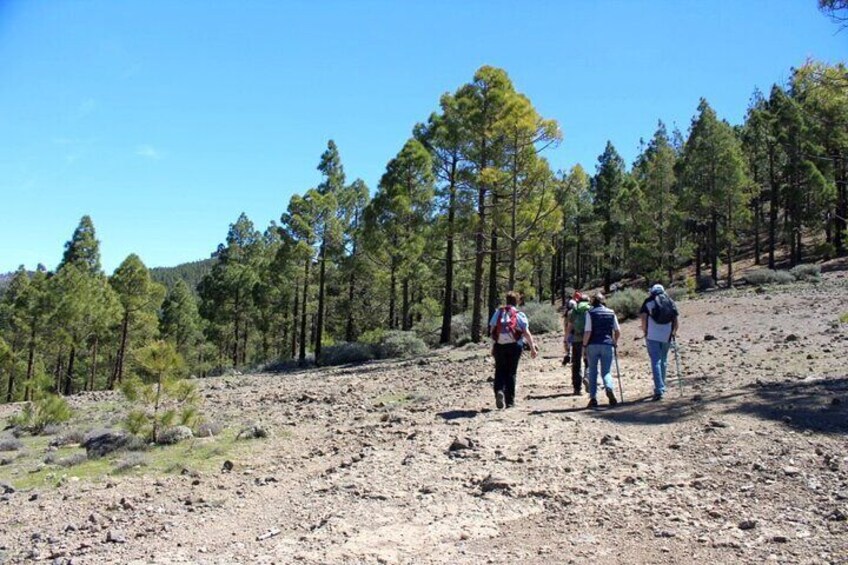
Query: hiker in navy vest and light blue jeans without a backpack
{"points": [[600, 338]]}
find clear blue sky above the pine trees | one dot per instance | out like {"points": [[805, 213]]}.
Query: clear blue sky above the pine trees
{"points": [[164, 120]]}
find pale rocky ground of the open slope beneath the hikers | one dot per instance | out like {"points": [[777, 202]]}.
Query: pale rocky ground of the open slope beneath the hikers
{"points": [[409, 462]]}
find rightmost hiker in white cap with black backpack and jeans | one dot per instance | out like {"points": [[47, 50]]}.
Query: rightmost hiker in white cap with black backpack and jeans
{"points": [[659, 326]]}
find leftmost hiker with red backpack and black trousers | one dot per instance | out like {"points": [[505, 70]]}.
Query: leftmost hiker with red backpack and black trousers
{"points": [[509, 329]]}
